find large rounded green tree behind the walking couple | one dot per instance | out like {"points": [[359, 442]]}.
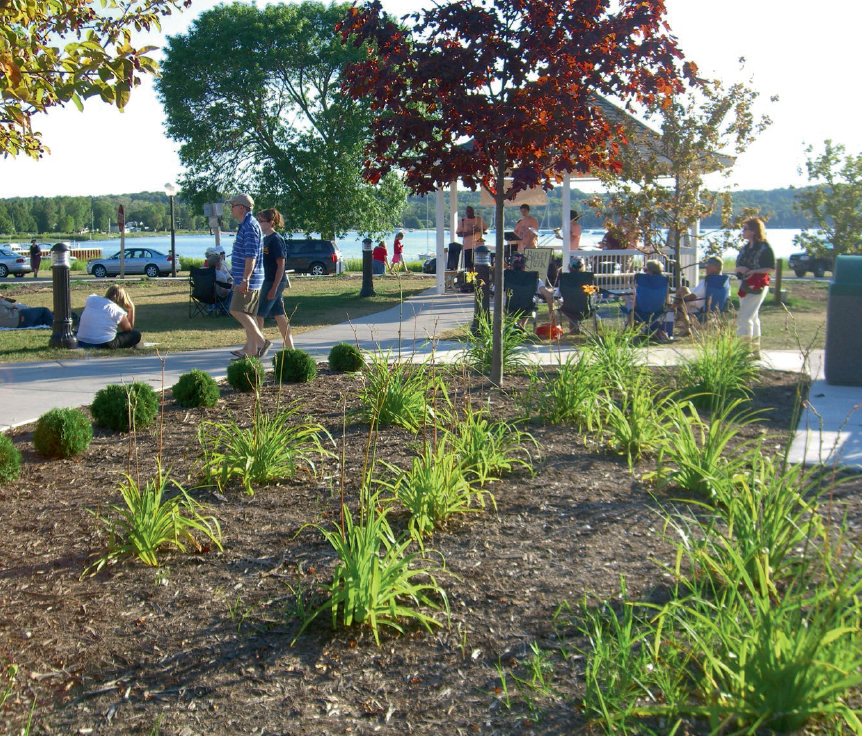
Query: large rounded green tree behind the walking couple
{"points": [[254, 97]]}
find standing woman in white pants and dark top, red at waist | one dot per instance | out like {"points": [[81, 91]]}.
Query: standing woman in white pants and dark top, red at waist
{"points": [[754, 264]]}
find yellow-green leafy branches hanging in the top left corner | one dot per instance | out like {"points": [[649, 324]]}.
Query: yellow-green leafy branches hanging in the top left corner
{"points": [[58, 51]]}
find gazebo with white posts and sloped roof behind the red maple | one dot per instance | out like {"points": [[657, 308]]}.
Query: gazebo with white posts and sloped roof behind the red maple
{"points": [[640, 135]]}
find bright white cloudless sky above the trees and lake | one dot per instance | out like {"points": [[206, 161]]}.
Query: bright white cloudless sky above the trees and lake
{"points": [[804, 52]]}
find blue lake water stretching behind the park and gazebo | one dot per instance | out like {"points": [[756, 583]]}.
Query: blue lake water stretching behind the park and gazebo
{"points": [[415, 243]]}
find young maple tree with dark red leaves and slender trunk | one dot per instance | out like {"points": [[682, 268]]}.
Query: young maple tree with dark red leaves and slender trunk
{"points": [[515, 78]]}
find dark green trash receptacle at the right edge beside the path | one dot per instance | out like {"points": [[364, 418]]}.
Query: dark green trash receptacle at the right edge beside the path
{"points": [[843, 356]]}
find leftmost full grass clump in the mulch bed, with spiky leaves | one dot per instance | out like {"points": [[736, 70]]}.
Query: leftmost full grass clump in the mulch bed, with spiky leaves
{"points": [[151, 521]]}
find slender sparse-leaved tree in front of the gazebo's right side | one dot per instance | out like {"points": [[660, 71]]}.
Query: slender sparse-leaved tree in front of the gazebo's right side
{"points": [[660, 186]]}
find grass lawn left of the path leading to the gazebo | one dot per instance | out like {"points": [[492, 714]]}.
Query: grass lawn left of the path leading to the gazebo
{"points": [[163, 312]]}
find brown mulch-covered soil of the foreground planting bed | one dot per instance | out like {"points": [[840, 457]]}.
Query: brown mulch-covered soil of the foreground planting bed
{"points": [[202, 645]]}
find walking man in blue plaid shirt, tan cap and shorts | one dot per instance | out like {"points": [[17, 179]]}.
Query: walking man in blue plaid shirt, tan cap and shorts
{"points": [[247, 272]]}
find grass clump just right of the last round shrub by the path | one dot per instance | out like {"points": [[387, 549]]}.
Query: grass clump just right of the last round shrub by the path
{"points": [[401, 393]]}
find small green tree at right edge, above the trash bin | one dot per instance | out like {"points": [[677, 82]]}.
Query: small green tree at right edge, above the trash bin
{"points": [[833, 203]]}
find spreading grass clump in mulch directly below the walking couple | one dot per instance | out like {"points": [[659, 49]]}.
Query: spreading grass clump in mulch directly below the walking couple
{"points": [[276, 447]]}
